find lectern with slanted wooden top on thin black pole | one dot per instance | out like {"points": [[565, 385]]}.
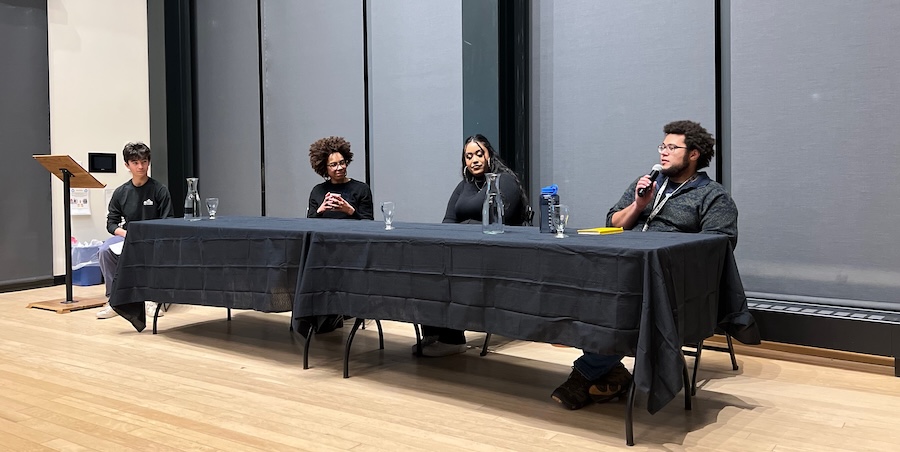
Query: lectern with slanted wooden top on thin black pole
{"points": [[73, 176]]}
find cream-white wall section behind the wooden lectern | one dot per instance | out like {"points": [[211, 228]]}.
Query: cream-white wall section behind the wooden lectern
{"points": [[99, 96]]}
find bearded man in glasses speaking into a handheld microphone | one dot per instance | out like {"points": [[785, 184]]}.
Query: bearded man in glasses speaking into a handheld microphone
{"points": [[678, 199]]}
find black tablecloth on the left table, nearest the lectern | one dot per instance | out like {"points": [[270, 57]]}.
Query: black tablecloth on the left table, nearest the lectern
{"points": [[234, 262]]}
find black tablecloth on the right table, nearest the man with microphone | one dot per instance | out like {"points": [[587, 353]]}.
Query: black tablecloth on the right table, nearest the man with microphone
{"points": [[639, 294]]}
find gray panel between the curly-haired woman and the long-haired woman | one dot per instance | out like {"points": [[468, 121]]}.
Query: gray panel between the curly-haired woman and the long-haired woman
{"points": [[415, 76]]}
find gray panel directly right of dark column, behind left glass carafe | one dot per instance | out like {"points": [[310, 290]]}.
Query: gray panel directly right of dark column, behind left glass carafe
{"points": [[227, 129]]}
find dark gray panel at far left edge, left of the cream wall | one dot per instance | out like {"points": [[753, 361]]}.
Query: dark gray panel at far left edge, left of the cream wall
{"points": [[25, 237]]}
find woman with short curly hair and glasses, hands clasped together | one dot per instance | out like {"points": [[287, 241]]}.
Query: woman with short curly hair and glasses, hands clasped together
{"points": [[339, 196]]}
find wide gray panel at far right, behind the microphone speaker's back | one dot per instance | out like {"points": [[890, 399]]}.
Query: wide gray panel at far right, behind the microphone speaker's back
{"points": [[815, 105]]}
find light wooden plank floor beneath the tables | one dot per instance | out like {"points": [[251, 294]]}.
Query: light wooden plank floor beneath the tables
{"points": [[72, 382]]}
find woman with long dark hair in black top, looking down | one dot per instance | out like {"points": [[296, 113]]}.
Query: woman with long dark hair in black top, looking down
{"points": [[464, 206]]}
